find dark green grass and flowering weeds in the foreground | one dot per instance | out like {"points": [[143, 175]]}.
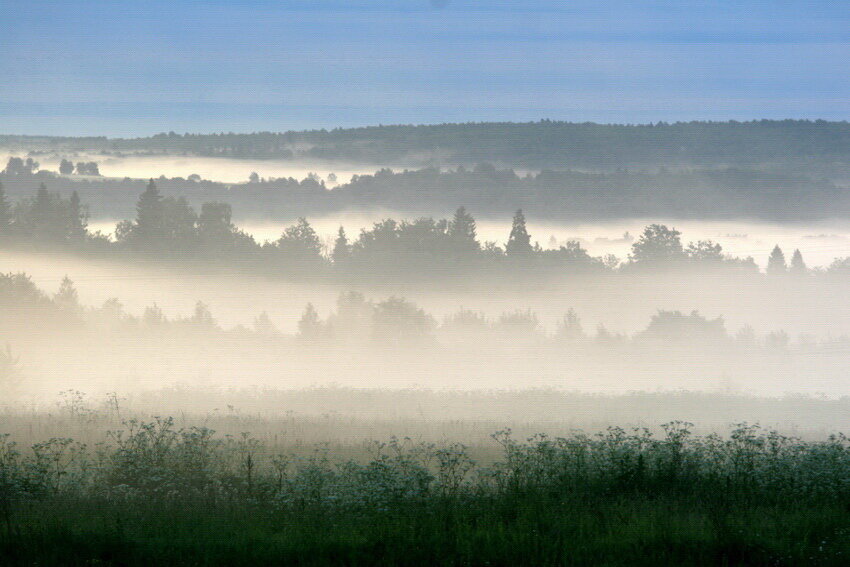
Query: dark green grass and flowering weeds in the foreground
{"points": [[160, 496]]}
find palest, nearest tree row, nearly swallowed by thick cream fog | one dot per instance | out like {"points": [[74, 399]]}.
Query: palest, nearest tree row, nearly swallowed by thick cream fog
{"points": [[360, 322]]}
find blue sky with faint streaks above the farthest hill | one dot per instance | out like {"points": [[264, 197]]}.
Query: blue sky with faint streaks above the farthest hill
{"points": [[121, 68]]}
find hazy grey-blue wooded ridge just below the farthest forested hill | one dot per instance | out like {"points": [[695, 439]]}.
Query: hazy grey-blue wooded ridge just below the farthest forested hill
{"points": [[565, 194]]}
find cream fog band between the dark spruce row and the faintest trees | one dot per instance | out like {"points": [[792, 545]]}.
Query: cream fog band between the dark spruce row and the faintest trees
{"points": [[813, 308]]}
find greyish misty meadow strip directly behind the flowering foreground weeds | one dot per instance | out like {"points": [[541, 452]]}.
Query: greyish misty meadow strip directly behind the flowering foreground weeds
{"points": [[349, 417]]}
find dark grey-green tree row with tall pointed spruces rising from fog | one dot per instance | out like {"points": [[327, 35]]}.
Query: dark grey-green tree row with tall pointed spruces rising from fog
{"points": [[170, 226]]}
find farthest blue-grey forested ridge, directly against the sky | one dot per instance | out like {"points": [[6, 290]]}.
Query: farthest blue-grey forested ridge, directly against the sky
{"points": [[540, 144]]}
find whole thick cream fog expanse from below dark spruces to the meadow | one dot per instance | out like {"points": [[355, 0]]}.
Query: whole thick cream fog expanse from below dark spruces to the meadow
{"points": [[500, 347]]}
